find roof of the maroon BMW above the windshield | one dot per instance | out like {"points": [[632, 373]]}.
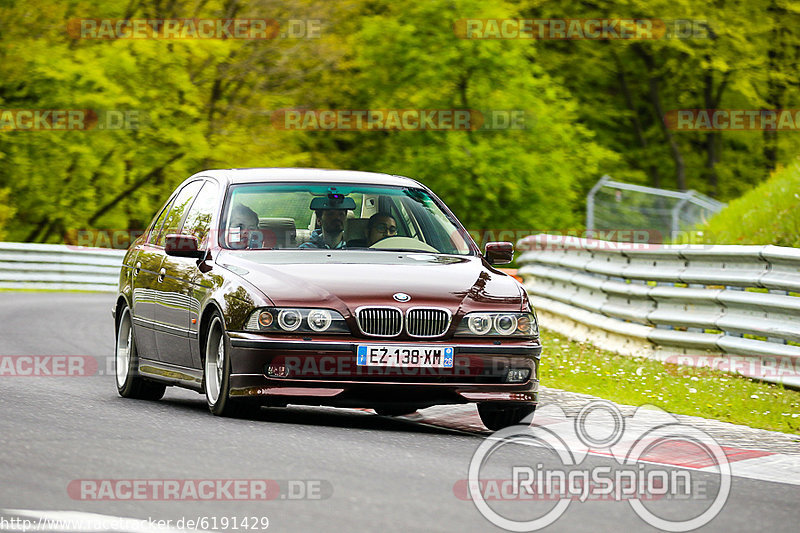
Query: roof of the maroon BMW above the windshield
{"points": [[310, 175]]}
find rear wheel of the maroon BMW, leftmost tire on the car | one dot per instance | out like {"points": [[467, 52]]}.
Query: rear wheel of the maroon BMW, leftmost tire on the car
{"points": [[126, 364]]}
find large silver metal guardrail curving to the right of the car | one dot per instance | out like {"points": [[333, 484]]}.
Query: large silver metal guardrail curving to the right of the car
{"points": [[736, 308]]}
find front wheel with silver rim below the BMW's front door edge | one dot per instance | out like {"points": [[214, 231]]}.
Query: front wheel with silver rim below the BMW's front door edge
{"points": [[217, 374]]}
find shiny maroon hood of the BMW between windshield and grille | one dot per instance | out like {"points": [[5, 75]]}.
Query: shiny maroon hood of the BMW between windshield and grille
{"points": [[345, 280]]}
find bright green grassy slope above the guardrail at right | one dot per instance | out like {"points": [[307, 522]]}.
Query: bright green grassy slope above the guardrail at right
{"points": [[768, 214]]}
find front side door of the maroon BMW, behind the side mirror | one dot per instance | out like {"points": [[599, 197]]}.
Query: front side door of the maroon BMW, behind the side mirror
{"points": [[173, 286]]}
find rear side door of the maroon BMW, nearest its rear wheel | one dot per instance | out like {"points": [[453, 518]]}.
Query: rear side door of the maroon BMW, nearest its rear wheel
{"points": [[145, 277]]}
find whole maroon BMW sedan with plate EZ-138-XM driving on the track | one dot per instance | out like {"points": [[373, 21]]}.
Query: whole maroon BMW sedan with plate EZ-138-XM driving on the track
{"points": [[322, 287]]}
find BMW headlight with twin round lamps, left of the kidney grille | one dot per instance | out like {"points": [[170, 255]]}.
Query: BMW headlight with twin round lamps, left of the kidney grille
{"points": [[298, 320]]}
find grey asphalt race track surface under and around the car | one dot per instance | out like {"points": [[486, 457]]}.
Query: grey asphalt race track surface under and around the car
{"points": [[326, 469]]}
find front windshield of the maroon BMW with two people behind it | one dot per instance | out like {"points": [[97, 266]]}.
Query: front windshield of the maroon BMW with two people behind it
{"points": [[339, 217]]}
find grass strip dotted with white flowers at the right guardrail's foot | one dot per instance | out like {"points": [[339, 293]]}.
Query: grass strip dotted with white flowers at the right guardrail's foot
{"points": [[583, 368]]}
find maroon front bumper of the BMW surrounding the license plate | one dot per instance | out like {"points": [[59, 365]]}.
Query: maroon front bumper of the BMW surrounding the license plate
{"points": [[323, 371]]}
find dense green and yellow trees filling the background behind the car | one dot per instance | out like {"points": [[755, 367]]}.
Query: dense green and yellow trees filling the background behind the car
{"points": [[591, 106]]}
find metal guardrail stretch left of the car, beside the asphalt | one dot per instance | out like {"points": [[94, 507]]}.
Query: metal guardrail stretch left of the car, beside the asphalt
{"points": [[58, 267]]}
